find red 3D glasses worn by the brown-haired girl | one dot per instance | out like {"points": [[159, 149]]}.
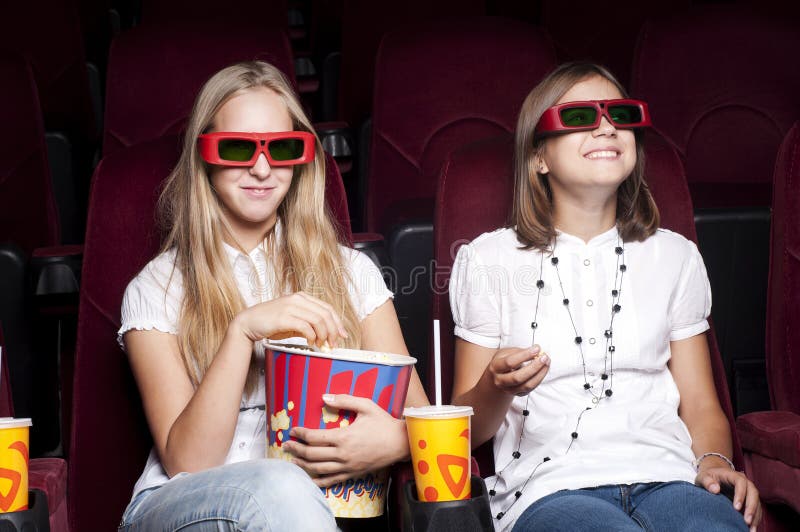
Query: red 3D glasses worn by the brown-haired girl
{"points": [[580, 116]]}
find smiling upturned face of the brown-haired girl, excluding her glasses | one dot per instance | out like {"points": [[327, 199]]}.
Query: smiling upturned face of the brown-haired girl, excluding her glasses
{"points": [[595, 161]]}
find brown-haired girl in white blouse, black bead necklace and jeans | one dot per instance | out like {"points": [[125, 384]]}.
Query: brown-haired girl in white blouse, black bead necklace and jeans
{"points": [[581, 342]]}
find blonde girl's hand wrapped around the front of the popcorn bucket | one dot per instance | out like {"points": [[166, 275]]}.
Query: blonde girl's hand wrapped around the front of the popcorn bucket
{"points": [[374, 440]]}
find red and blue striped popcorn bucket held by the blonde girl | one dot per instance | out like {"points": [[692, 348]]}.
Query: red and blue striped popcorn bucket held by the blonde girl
{"points": [[297, 377]]}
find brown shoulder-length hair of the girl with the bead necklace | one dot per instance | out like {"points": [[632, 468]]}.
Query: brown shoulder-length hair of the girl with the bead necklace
{"points": [[532, 212]]}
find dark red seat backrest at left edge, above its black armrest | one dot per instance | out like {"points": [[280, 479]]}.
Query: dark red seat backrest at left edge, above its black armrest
{"points": [[28, 213]]}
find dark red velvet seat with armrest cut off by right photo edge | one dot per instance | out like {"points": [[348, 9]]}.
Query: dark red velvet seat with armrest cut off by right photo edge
{"points": [[771, 440]]}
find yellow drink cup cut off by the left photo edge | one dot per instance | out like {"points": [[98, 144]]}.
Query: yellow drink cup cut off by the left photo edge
{"points": [[14, 464]]}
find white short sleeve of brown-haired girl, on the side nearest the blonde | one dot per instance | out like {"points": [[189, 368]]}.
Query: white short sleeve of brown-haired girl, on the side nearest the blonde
{"points": [[474, 300]]}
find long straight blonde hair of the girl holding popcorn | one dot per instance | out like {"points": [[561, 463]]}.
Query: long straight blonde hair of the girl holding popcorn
{"points": [[306, 256]]}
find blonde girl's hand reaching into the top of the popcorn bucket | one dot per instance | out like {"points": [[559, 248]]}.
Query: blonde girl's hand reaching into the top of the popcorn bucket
{"points": [[298, 314]]}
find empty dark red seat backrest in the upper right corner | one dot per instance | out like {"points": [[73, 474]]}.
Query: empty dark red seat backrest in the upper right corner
{"points": [[720, 86]]}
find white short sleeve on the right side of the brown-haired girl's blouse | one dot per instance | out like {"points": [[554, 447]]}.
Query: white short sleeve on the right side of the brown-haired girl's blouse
{"points": [[691, 304]]}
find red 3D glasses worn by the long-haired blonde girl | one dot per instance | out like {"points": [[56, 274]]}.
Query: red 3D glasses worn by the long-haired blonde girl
{"points": [[284, 148]]}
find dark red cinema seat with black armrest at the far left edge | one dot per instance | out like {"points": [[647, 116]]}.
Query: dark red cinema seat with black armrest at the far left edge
{"points": [[31, 262]]}
